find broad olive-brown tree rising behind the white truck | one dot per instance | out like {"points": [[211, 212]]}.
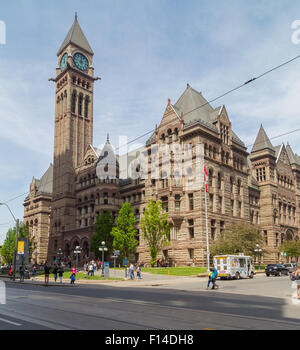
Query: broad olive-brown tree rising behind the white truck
{"points": [[238, 238]]}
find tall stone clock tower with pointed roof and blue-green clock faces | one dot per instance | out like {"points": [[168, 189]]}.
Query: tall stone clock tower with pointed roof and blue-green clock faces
{"points": [[73, 128]]}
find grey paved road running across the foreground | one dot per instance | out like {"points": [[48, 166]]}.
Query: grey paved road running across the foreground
{"points": [[183, 303]]}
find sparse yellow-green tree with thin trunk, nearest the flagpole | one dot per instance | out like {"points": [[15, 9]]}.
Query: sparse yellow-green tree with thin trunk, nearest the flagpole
{"points": [[156, 229]]}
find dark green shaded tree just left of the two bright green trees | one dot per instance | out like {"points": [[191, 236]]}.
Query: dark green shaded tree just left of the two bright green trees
{"points": [[103, 226]]}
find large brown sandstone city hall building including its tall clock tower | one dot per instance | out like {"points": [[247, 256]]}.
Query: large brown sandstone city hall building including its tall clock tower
{"points": [[261, 187]]}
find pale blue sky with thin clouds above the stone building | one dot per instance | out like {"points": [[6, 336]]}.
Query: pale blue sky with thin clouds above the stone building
{"points": [[145, 53]]}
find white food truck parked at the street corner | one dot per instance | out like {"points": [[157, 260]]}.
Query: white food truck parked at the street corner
{"points": [[234, 266]]}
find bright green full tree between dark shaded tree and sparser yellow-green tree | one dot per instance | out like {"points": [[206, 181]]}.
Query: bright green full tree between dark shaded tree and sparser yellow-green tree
{"points": [[124, 233]]}
